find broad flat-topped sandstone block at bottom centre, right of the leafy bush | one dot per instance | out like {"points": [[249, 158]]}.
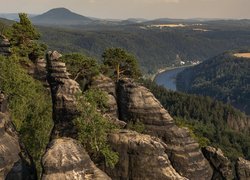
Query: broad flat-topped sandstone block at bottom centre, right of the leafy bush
{"points": [[141, 157]]}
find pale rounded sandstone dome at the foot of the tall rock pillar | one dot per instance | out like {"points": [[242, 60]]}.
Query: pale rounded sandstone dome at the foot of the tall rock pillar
{"points": [[66, 159]]}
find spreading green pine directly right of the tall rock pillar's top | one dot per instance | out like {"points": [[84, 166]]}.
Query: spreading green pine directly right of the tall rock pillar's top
{"points": [[81, 67]]}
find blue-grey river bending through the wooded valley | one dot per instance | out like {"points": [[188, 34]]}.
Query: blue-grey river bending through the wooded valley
{"points": [[168, 78]]}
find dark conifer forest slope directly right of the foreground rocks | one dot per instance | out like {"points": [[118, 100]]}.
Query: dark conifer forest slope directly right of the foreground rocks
{"points": [[206, 118]]}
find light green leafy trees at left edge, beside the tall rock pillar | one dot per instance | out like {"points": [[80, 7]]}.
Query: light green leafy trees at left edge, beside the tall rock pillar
{"points": [[30, 107]]}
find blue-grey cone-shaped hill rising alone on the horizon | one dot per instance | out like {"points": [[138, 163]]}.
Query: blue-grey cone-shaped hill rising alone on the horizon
{"points": [[61, 16]]}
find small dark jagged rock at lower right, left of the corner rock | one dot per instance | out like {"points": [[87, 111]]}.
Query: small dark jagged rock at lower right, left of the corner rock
{"points": [[221, 164]]}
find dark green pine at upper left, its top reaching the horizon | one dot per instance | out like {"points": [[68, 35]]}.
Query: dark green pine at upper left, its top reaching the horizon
{"points": [[23, 38]]}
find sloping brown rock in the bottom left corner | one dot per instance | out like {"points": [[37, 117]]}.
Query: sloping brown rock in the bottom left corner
{"points": [[13, 164]]}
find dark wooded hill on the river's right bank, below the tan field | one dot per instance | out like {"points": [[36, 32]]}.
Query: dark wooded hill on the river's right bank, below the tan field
{"points": [[224, 77]]}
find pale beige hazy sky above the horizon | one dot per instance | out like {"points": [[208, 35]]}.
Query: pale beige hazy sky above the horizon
{"points": [[148, 9]]}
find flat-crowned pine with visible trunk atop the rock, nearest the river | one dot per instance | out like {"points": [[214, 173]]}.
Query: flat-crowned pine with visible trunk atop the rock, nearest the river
{"points": [[121, 63]]}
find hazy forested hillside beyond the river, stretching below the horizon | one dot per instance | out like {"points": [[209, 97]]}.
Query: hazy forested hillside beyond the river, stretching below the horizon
{"points": [[153, 47]]}
